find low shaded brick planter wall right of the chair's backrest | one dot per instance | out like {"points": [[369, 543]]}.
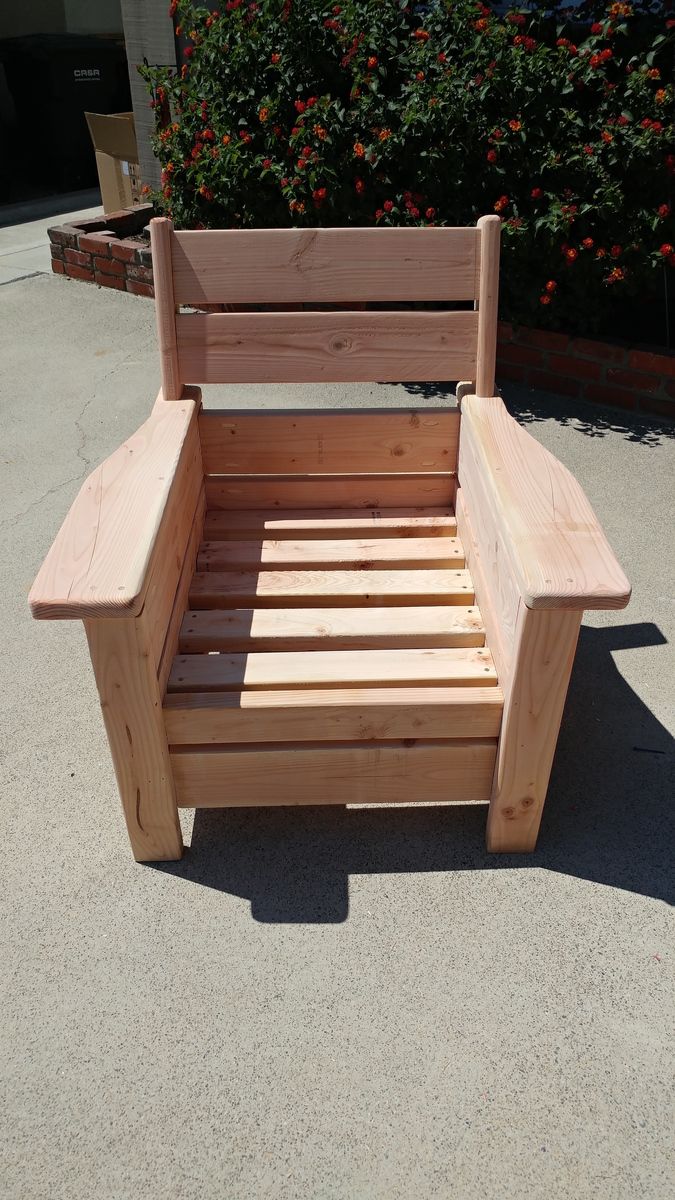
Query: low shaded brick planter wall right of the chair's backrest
{"points": [[607, 374]]}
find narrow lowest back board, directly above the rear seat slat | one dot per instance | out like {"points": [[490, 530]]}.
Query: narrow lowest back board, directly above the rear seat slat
{"points": [[349, 493]]}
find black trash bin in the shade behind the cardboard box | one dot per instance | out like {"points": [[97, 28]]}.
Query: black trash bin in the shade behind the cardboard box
{"points": [[53, 79]]}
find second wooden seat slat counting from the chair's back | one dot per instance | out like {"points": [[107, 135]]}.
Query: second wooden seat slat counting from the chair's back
{"points": [[395, 554]]}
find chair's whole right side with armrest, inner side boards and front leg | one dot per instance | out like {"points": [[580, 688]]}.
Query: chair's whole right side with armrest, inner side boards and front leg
{"points": [[539, 559]]}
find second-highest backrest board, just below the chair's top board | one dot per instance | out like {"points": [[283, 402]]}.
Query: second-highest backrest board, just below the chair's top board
{"points": [[314, 347]]}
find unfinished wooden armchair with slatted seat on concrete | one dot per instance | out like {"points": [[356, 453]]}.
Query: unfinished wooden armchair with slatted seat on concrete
{"points": [[278, 605]]}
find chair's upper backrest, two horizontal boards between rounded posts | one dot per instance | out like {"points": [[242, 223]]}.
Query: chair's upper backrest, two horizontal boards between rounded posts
{"points": [[326, 267]]}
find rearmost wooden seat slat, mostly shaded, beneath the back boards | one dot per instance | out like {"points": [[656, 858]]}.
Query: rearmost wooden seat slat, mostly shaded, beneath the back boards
{"points": [[222, 526]]}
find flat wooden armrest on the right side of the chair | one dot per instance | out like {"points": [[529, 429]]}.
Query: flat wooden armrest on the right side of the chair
{"points": [[558, 550]]}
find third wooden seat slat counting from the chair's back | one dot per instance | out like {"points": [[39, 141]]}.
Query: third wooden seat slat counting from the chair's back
{"points": [[302, 590]]}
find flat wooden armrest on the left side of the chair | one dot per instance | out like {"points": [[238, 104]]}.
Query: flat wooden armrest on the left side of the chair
{"points": [[99, 563]]}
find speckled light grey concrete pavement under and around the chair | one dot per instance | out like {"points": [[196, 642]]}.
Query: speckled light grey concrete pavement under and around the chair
{"points": [[327, 1004]]}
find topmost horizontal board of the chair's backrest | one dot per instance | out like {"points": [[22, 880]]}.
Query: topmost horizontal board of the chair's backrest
{"points": [[325, 266]]}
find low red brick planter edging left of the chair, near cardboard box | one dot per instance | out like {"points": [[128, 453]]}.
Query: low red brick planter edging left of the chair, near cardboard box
{"points": [[105, 253]]}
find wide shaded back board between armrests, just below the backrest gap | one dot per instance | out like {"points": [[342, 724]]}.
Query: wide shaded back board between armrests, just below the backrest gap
{"points": [[332, 442]]}
